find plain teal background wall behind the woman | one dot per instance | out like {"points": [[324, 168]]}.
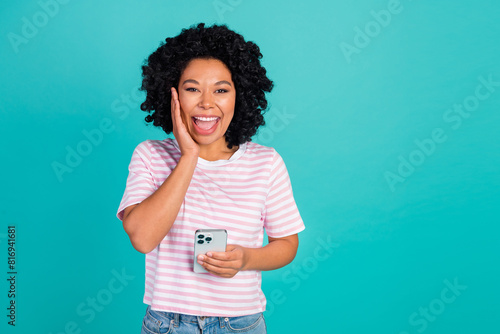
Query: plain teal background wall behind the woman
{"points": [[340, 123]]}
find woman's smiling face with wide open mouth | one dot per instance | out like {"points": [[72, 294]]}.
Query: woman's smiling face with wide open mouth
{"points": [[207, 97]]}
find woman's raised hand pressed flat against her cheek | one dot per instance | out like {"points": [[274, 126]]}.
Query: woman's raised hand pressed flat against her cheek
{"points": [[186, 143]]}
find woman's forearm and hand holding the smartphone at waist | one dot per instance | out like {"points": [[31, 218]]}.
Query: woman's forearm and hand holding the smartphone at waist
{"points": [[276, 254]]}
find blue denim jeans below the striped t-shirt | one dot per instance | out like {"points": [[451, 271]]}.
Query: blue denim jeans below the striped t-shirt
{"points": [[156, 322]]}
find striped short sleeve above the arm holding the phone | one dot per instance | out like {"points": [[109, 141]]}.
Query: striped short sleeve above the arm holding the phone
{"points": [[281, 216]]}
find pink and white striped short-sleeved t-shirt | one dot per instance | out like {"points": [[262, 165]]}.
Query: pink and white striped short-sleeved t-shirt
{"points": [[245, 194]]}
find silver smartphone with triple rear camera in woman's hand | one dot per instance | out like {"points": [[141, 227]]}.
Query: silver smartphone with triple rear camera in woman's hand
{"points": [[214, 240]]}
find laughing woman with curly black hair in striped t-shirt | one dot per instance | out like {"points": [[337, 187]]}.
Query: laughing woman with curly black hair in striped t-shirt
{"points": [[207, 86]]}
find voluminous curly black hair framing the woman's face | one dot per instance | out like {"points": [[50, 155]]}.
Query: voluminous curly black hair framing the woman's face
{"points": [[164, 67]]}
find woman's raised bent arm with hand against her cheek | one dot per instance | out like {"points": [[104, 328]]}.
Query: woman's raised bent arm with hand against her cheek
{"points": [[148, 222]]}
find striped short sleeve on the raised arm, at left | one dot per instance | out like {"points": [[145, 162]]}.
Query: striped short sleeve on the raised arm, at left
{"points": [[140, 181]]}
